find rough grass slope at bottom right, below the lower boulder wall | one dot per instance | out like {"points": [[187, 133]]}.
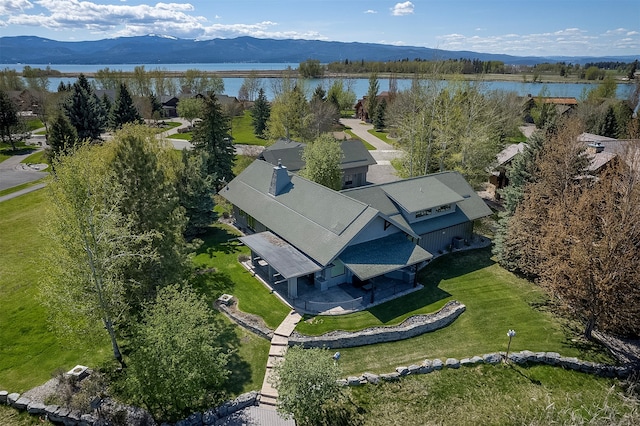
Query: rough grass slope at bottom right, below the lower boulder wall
{"points": [[497, 395]]}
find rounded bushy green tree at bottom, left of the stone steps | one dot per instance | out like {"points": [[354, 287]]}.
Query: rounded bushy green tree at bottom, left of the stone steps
{"points": [[178, 365]]}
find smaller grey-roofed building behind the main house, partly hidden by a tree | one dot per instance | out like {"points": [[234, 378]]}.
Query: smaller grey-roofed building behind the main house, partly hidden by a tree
{"points": [[355, 162]]}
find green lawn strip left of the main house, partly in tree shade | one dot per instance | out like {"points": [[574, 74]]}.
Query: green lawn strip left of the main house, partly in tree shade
{"points": [[221, 250]]}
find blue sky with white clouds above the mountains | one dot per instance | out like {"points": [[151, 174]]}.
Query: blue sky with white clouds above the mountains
{"points": [[514, 27]]}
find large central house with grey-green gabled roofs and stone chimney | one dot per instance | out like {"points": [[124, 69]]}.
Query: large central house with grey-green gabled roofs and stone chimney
{"points": [[303, 229]]}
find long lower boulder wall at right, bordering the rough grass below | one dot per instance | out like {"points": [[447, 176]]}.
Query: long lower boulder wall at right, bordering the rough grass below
{"points": [[548, 358]]}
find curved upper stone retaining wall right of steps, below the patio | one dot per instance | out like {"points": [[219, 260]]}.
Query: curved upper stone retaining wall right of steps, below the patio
{"points": [[411, 327]]}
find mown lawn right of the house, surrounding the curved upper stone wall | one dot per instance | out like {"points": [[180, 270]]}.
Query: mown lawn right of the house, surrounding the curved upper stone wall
{"points": [[496, 301]]}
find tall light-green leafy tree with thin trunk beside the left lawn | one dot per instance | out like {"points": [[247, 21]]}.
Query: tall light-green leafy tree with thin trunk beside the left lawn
{"points": [[88, 244]]}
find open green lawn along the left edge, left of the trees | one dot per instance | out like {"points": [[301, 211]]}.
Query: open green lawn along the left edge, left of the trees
{"points": [[29, 352]]}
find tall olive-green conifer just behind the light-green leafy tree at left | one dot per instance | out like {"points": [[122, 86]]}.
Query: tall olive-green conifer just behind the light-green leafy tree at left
{"points": [[145, 172]]}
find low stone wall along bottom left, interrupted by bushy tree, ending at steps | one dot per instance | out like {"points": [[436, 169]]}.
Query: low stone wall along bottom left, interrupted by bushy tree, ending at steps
{"points": [[68, 417]]}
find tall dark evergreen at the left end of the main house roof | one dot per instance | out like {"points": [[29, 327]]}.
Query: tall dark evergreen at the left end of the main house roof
{"points": [[211, 135]]}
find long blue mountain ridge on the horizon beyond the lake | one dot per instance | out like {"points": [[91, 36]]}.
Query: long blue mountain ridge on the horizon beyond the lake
{"points": [[169, 50]]}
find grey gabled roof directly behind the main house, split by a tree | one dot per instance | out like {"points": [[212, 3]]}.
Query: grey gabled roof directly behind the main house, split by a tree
{"points": [[289, 153]]}
